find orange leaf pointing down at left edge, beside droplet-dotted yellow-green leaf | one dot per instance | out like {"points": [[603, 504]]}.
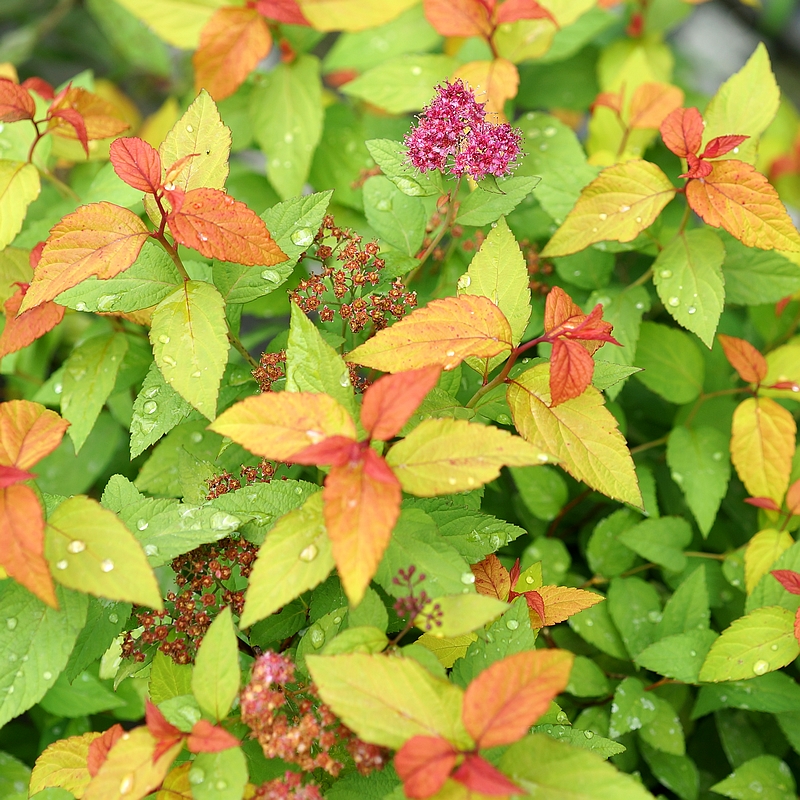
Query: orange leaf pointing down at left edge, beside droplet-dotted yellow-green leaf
{"points": [[22, 541]]}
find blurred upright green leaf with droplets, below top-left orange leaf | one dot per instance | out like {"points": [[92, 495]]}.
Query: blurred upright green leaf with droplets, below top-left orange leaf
{"points": [[286, 114]]}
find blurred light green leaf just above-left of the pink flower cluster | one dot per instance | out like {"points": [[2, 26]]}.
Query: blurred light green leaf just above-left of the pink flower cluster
{"points": [[401, 84]]}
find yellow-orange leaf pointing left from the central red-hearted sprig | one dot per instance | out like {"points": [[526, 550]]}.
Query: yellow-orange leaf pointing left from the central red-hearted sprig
{"points": [[277, 425]]}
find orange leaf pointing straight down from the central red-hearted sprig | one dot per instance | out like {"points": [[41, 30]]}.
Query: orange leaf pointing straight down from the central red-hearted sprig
{"points": [[362, 504]]}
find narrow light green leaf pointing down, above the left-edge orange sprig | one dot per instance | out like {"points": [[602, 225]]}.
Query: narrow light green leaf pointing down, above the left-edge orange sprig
{"points": [[89, 377]]}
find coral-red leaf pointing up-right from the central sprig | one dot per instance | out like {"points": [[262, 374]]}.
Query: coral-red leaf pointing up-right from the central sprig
{"points": [[391, 400]]}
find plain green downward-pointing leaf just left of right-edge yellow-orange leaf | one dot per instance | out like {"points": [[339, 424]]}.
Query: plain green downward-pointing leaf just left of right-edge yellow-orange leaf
{"points": [[699, 459]]}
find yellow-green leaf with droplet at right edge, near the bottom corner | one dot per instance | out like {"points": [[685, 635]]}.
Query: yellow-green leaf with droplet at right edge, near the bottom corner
{"points": [[759, 642]]}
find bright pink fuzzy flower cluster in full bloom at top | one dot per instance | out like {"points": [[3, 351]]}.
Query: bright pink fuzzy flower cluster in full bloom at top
{"points": [[453, 135]]}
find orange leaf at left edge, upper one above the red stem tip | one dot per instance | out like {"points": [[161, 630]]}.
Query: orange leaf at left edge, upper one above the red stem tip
{"points": [[28, 432]]}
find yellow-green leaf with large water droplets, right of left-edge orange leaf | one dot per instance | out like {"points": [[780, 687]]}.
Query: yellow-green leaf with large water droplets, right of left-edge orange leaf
{"points": [[90, 549]]}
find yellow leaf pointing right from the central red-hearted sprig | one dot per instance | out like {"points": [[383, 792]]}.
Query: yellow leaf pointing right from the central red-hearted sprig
{"points": [[445, 456]]}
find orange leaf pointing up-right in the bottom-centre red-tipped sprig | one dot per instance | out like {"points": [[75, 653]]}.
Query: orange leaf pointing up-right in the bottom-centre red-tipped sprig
{"points": [[502, 703]]}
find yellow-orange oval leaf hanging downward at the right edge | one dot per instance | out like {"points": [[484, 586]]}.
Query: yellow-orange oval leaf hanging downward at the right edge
{"points": [[762, 446]]}
